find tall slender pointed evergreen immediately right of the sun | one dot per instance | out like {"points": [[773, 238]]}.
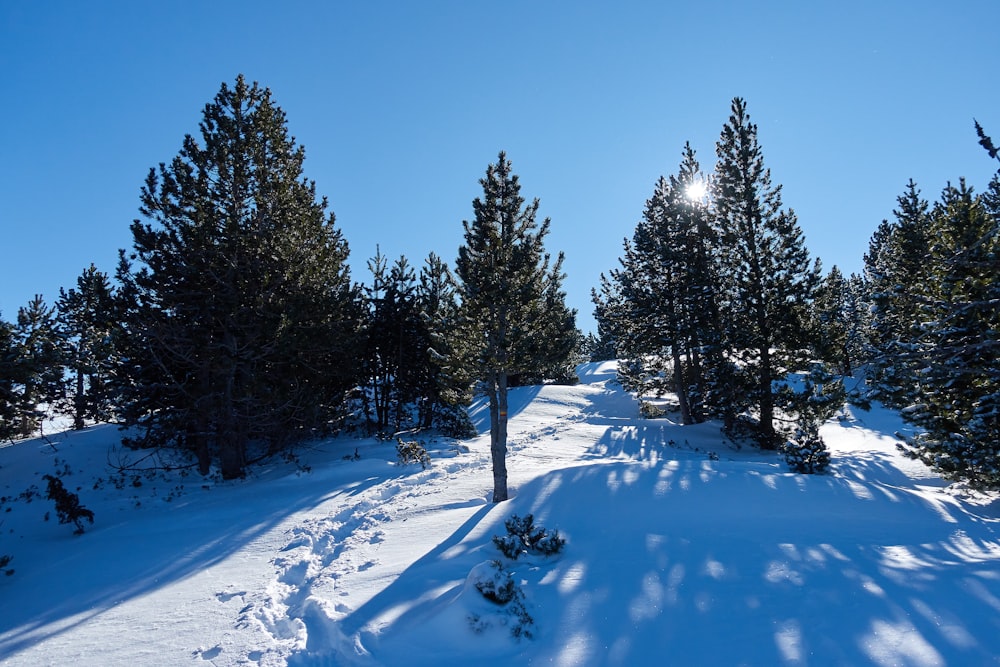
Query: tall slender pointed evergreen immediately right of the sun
{"points": [[769, 280]]}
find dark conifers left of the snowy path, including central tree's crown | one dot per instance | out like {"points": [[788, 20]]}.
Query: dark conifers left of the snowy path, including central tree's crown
{"points": [[233, 329]]}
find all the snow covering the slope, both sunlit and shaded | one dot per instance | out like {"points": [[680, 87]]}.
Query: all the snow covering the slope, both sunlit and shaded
{"points": [[681, 548]]}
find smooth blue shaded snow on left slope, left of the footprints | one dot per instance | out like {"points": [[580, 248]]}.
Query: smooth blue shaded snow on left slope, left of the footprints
{"points": [[119, 559]]}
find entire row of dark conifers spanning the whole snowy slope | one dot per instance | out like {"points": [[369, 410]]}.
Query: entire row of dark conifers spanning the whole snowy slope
{"points": [[233, 328]]}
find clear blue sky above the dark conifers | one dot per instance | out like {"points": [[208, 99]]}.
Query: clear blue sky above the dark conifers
{"points": [[402, 105]]}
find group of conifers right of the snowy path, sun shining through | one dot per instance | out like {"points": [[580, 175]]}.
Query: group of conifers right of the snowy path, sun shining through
{"points": [[717, 301]]}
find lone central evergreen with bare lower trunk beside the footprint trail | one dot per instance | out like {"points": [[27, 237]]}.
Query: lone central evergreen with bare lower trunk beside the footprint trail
{"points": [[507, 286]]}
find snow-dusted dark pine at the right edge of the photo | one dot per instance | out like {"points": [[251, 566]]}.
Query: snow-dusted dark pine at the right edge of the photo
{"points": [[955, 360]]}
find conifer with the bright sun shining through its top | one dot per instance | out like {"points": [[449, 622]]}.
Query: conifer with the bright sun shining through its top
{"points": [[666, 317]]}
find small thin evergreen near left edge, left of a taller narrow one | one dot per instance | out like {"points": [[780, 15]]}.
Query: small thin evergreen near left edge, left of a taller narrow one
{"points": [[38, 364]]}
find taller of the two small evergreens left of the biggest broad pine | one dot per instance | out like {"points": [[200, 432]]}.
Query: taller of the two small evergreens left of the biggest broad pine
{"points": [[86, 323]]}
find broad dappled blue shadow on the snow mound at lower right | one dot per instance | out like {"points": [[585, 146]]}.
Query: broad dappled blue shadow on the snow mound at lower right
{"points": [[692, 562]]}
